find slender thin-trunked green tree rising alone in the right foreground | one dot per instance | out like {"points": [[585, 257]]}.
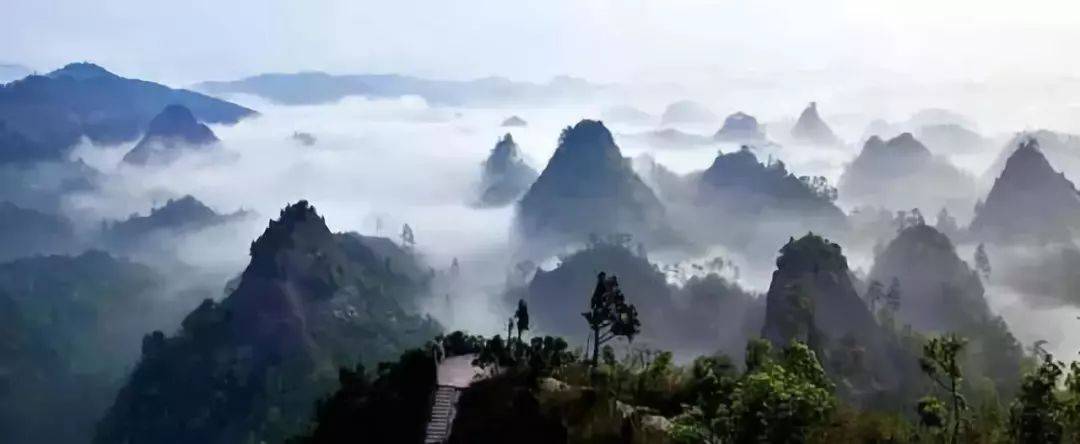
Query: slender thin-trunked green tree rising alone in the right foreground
{"points": [[941, 362]]}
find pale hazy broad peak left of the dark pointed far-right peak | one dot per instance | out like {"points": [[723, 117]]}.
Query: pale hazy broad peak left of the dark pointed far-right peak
{"points": [[903, 174]]}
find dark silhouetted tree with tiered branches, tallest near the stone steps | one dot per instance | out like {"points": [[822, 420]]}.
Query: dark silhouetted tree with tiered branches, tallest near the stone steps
{"points": [[610, 317]]}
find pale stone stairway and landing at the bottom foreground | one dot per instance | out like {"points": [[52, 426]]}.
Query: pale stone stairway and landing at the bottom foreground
{"points": [[455, 375]]}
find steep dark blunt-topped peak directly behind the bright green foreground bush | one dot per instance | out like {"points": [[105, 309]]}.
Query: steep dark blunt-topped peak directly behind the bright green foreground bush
{"points": [[813, 300]]}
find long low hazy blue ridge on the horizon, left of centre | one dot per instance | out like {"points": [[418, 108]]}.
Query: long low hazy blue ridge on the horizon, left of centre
{"points": [[315, 88]]}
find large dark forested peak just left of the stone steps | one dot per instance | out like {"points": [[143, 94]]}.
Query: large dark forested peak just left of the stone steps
{"points": [[309, 303]]}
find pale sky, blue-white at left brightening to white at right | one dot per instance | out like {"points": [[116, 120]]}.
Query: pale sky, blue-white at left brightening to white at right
{"points": [[603, 41]]}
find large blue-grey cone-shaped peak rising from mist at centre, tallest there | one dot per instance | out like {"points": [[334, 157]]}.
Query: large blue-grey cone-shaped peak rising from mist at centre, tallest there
{"points": [[589, 189]]}
